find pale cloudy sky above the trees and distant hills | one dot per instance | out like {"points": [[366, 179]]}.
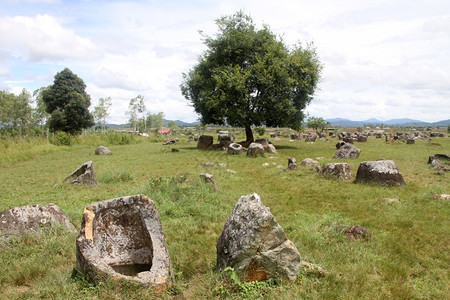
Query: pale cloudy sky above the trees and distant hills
{"points": [[382, 59]]}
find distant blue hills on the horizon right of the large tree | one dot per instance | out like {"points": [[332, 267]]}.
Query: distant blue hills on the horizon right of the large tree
{"points": [[393, 122]]}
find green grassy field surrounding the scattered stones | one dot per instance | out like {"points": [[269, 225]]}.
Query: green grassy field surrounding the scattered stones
{"points": [[407, 257]]}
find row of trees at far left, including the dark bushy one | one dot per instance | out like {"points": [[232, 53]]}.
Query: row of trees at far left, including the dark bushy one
{"points": [[62, 106]]}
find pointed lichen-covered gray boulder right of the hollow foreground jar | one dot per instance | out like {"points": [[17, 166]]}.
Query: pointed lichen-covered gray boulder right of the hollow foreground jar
{"points": [[254, 244]]}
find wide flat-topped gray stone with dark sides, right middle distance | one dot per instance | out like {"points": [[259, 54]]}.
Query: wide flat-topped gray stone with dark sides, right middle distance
{"points": [[383, 172]]}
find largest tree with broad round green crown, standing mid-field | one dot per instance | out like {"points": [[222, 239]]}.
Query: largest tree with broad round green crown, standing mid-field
{"points": [[248, 76]]}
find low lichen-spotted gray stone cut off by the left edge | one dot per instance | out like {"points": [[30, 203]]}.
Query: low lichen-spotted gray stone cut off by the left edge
{"points": [[31, 220]]}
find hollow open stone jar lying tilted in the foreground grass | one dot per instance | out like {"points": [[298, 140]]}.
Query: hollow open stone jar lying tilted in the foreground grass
{"points": [[123, 238]]}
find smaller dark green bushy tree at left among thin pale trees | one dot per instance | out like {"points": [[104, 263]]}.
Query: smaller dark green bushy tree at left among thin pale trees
{"points": [[68, 103]]}
